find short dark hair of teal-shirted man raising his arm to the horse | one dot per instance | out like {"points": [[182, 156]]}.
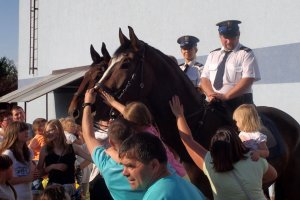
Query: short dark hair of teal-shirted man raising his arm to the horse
{"points": [[119, 130]]}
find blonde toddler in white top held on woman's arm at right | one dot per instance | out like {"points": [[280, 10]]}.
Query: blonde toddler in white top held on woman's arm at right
{"points": [[248, 122]]}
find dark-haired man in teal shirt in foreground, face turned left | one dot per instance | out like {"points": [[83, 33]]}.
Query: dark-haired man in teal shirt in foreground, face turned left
{"points": [[145, 166]]}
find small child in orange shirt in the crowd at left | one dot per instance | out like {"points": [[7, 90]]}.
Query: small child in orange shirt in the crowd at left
{"points": [[36, 144]]}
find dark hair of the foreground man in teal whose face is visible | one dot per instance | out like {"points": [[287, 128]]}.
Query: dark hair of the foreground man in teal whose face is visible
{"points": [[143, 147]]}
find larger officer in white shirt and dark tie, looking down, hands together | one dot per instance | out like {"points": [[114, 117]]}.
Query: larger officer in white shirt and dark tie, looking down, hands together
{"points": [[230, 71]]}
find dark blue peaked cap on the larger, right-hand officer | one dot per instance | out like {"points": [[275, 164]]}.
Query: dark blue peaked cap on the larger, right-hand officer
{"points": [[229, 28]]}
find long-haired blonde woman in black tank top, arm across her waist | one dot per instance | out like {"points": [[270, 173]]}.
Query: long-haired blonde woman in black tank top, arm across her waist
{"points": [[57, 158]]}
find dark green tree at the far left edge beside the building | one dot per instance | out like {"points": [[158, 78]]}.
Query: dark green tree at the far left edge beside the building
{"points": [[8, 76]]}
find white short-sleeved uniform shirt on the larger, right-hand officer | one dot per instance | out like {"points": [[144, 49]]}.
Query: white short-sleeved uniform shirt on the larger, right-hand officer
{"points": [[240, 64]]}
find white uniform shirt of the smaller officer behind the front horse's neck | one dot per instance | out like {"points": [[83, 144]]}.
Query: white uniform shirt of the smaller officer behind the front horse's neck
{"points": [[193, 72]]}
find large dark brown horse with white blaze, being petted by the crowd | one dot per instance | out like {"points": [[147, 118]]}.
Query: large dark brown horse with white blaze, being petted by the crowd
{"points": [[140, 72]]}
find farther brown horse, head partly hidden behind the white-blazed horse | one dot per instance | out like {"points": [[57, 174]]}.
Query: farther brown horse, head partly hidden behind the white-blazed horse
{"points": [[95, 72]]}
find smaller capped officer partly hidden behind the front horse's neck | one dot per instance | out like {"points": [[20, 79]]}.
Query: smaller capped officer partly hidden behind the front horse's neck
{"points": [[191, 67]]}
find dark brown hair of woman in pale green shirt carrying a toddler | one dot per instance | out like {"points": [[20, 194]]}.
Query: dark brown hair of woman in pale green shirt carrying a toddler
{"points": [[226, 148]]}
